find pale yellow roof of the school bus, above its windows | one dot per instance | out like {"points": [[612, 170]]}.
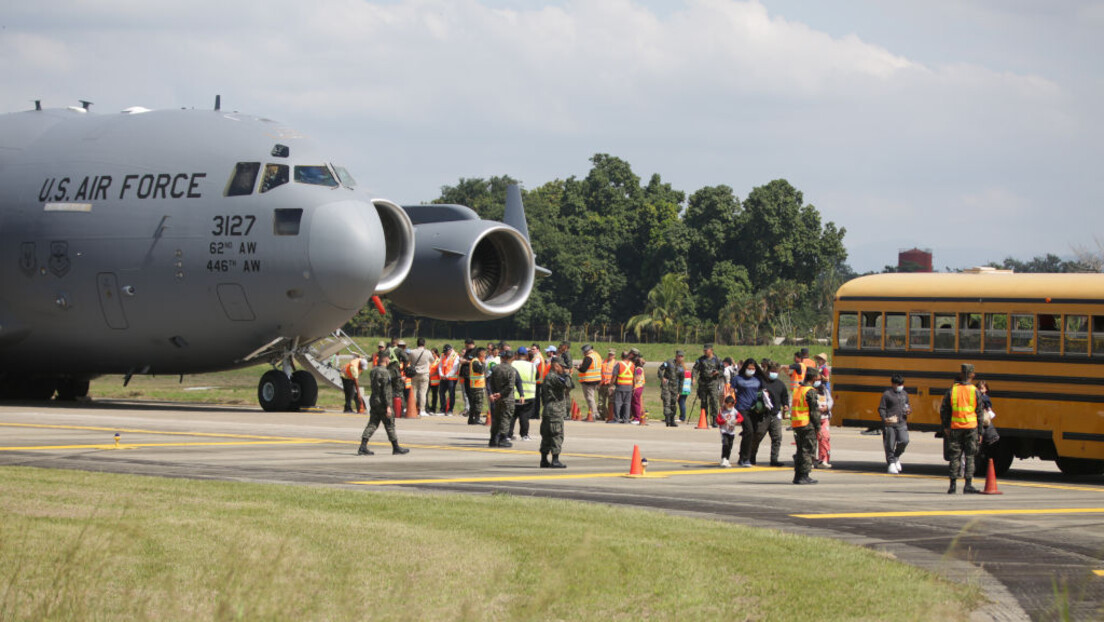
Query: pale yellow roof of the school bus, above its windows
{"points": [[975, 287]]}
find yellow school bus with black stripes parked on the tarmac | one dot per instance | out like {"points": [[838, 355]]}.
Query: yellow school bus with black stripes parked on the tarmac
{"points": [[1038, 340]]}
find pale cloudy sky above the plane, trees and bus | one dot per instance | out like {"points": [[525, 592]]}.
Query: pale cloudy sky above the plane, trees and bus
{"points": [[970, 128]]}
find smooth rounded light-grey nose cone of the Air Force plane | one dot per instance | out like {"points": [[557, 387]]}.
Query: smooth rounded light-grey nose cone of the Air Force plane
{"points": [[347, 252]]}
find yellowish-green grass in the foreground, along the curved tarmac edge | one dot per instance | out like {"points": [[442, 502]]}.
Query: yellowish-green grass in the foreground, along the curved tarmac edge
{"points": [[77, 546]]}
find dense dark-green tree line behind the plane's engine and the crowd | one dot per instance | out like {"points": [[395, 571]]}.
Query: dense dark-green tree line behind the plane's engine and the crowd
{"points": [[649, 260]]}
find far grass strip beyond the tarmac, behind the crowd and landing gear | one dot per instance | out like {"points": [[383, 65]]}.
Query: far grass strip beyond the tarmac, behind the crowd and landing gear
{"points": [[240, 386]]}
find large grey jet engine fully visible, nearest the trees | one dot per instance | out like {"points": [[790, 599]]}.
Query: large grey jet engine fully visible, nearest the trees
{"points": [[465, 269]]}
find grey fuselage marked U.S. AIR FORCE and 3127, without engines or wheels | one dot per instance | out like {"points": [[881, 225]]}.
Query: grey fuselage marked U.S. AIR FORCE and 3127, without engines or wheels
{"points": [[126, 247]]}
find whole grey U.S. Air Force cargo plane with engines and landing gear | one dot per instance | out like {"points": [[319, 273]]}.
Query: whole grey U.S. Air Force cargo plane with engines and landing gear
{"points": [[173, 243]]}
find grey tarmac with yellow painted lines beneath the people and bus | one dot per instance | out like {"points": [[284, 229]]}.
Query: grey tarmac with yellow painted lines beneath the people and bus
{"points": [[1036, 551]]}
